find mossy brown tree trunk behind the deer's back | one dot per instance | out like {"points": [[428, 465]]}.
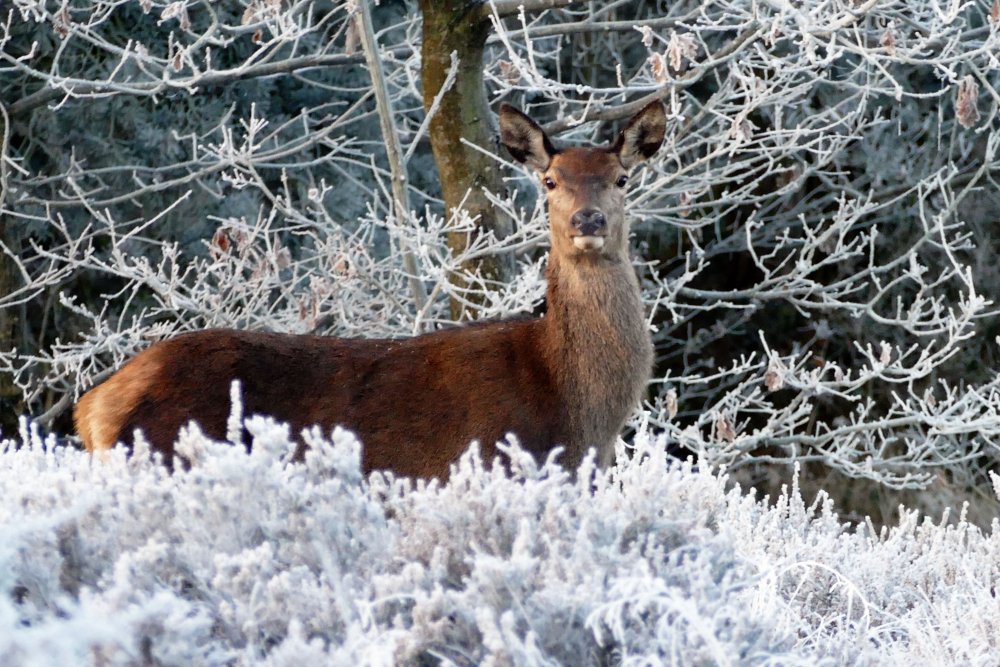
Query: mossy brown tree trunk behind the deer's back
{"points": [[459, 26]]}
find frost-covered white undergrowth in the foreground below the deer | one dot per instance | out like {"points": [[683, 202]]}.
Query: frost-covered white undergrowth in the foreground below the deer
{"points": [[253, 559]]}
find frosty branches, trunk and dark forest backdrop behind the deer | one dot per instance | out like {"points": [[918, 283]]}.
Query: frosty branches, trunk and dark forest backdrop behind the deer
{"points": [[816, 240]]}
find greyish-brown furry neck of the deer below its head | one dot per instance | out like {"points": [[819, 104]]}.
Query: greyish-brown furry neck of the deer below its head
{"points": [[599, 345]]}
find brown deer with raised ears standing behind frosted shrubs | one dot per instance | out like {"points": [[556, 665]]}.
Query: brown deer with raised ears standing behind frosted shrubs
{"points": [[570, 378]]}
